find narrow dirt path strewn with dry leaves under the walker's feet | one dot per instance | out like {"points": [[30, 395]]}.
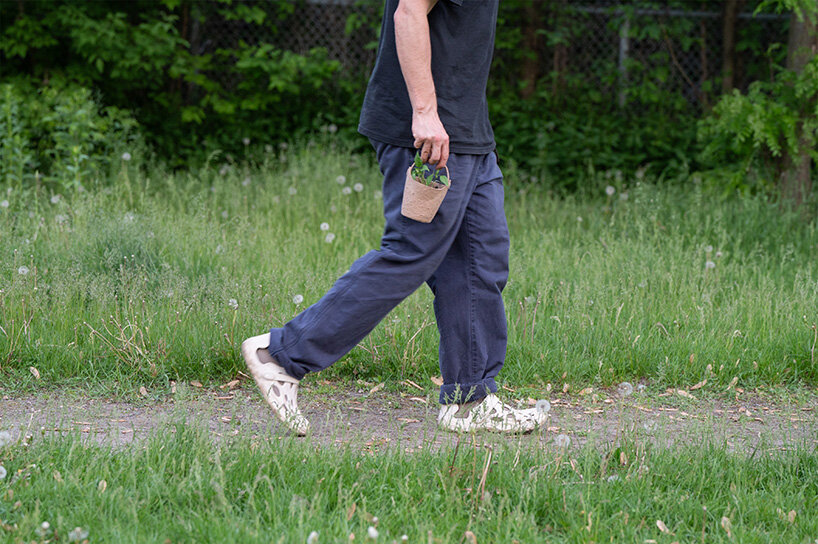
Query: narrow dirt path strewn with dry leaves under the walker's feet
{"points": [[373, 420]]}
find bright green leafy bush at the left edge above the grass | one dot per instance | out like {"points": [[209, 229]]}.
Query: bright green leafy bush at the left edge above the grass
{"points": [[60, 135]]}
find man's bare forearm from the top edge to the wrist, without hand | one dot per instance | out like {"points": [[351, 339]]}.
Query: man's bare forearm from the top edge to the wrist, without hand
{"points": [[415, 53]]}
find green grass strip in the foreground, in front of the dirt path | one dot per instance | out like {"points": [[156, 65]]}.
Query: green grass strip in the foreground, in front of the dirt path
{"points": [[180, 485]]}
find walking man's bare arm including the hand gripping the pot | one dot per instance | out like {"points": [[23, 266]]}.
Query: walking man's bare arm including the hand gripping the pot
{"points": [[415, 57]]}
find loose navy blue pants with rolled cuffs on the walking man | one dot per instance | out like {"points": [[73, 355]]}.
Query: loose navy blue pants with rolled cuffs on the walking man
{"points": [[462, 255]]}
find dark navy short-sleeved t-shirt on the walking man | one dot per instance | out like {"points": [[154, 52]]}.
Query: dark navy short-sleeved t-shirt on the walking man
{"points": [[462, 39]]}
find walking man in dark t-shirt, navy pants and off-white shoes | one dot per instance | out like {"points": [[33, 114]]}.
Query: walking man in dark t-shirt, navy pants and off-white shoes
{"points": [[427, 92]]}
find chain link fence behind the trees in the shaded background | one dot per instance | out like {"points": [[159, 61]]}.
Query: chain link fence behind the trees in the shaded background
{"points": [[606, 43]]}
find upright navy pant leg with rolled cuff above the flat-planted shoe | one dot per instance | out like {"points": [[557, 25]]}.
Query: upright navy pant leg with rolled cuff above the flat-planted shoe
{"points": [[468, 287]]}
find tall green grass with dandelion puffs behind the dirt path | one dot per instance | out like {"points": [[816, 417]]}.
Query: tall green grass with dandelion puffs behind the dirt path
{"points": [[158, 276]]}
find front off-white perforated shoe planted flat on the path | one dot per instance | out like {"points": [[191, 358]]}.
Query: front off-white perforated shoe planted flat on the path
{"points": [[490, 414]]}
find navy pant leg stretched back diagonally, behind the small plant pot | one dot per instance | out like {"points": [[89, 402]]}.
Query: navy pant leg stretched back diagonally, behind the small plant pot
{"points": [[377, 282]]}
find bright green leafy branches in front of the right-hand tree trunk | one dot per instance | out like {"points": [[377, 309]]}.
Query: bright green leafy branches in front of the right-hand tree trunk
{"points": [[755, 132]]}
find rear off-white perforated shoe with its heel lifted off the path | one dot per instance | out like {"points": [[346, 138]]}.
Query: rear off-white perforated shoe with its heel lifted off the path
{"points": [[280, 390]]}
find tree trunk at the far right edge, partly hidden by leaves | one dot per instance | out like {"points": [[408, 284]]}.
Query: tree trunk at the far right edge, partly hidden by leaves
{"points": [[802, 46]]}
